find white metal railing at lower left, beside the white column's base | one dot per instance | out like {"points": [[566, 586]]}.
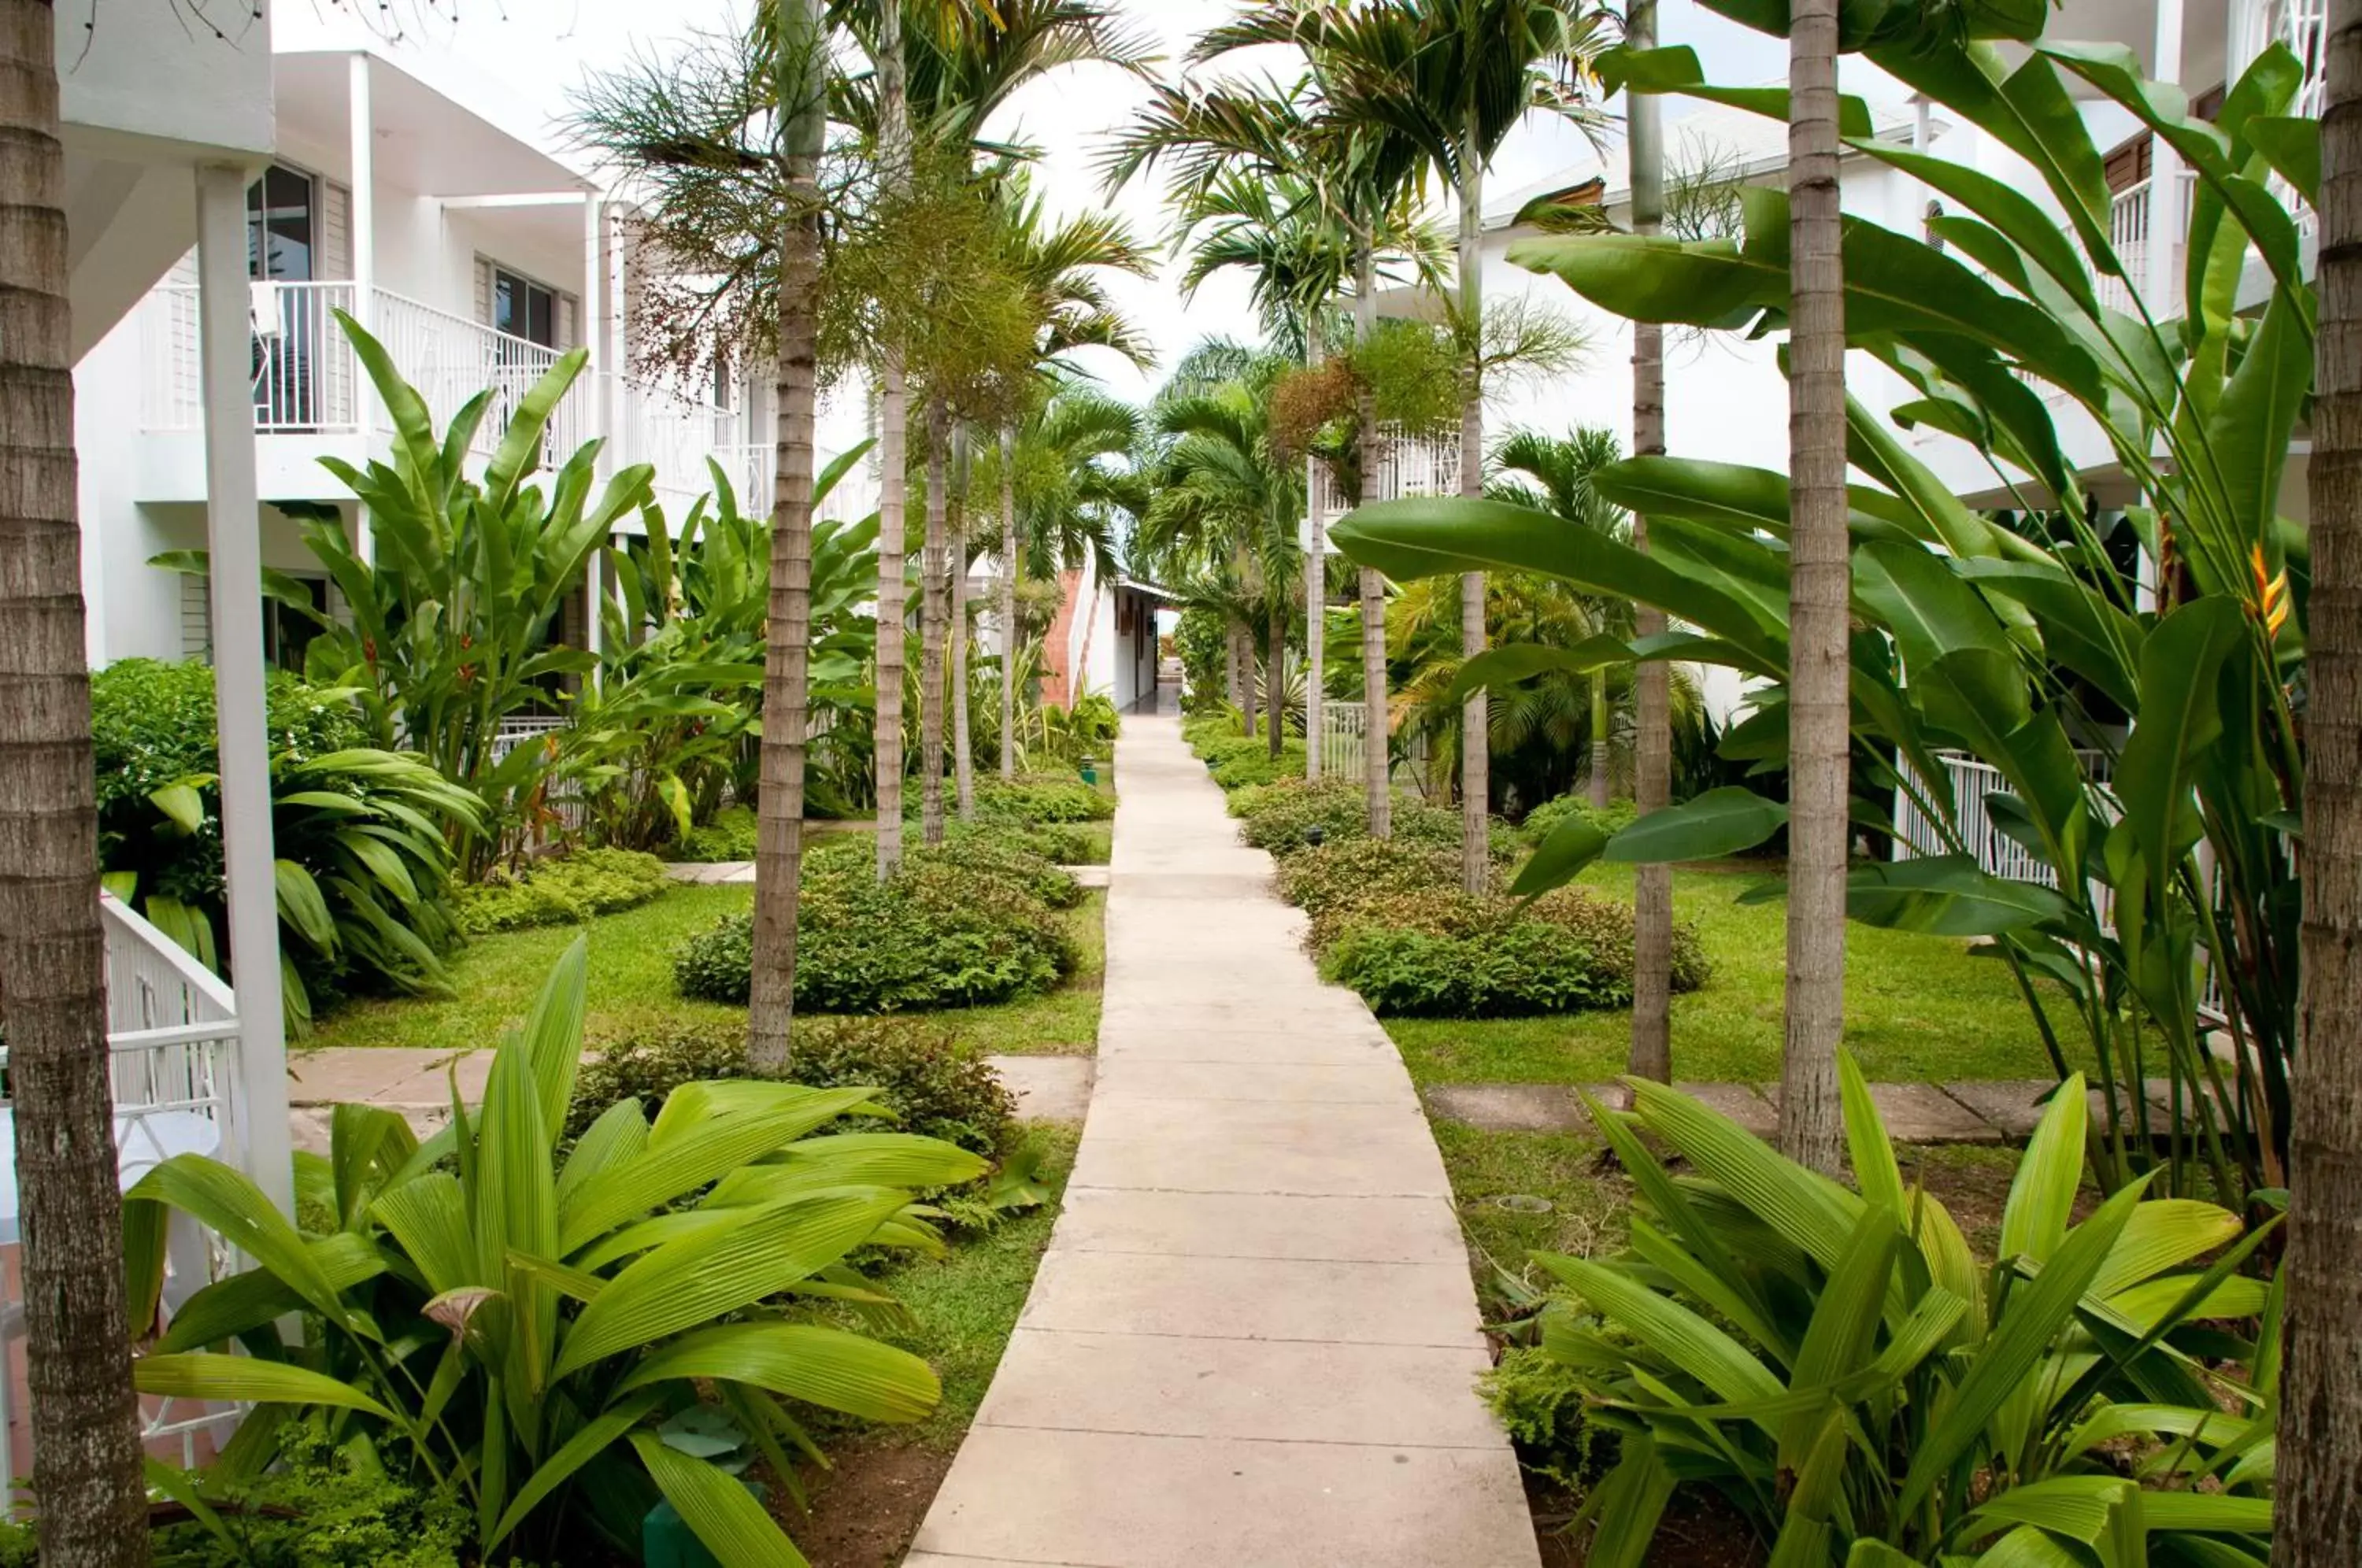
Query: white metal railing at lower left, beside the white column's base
{"points": [[174, 1061]]}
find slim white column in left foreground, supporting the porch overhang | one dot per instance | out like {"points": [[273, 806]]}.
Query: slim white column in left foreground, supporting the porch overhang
{"points": [[235, 540]]}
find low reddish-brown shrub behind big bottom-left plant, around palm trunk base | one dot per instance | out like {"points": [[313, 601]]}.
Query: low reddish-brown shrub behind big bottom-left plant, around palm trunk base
{"points": [[932, 1083]]}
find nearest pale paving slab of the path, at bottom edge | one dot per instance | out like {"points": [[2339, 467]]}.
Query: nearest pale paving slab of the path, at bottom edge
{"points": [[1118, 1501]]}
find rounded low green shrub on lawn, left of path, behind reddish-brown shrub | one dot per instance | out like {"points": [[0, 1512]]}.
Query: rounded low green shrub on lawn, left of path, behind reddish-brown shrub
{"points": [[937, 936]]}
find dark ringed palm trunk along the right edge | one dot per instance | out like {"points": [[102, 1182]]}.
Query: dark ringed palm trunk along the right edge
{"points": [[2318, 1505]]}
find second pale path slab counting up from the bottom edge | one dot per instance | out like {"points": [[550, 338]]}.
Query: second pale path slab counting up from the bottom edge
{"points": [[1194, 1387]]}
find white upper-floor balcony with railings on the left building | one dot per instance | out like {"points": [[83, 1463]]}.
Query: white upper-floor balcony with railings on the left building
{"points": [[311, 393]]}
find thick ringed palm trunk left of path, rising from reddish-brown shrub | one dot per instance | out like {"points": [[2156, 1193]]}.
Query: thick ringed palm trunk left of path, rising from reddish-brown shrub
{"points": [[788, 660]]}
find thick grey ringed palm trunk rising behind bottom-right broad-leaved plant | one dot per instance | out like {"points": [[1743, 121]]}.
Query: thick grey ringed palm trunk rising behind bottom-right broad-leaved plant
{"points": [[1820, 717]]}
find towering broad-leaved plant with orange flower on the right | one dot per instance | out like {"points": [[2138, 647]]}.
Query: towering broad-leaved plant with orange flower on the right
{"points": [[2169, 837]]}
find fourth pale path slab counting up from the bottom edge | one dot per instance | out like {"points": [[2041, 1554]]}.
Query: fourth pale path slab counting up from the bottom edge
{"points": [[1258, 1224]]}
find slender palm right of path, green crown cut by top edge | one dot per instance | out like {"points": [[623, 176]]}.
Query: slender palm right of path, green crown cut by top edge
{"points": [[1456, 79]]}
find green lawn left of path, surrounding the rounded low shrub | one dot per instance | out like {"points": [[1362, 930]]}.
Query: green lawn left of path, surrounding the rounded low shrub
{"points": [[632, 986]]}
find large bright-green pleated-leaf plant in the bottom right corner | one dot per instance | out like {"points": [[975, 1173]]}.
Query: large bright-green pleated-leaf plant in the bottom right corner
{"points": [[1836, 1366]]}
